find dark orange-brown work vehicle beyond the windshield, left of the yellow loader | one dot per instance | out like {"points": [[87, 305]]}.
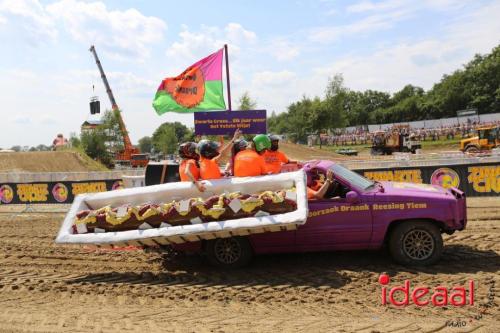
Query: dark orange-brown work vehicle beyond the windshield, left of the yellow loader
{"points": [[398, 139]]}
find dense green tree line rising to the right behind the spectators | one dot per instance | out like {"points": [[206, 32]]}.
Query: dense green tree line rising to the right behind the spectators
{"points": [[476, 85]]}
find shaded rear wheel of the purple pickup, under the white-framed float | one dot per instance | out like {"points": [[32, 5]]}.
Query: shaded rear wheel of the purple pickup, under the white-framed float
{"points": [[230, 252]]}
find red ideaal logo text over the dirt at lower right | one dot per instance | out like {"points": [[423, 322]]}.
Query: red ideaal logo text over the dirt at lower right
{"points": [[401, 296]]}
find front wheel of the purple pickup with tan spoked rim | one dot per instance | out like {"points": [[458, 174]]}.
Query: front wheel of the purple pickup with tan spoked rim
{"points": [[416, 243]]}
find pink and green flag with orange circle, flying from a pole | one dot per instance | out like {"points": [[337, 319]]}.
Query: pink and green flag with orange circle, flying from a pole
{"points": [[198, 88]]}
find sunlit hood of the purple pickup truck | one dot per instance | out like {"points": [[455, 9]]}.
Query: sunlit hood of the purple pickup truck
{"points": [[397, 189]]}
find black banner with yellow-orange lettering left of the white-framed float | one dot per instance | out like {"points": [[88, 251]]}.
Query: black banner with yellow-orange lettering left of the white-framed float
{"points": [[53, 192]]}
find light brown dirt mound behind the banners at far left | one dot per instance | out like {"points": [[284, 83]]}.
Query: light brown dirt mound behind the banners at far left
{"points": [[48, 161]]}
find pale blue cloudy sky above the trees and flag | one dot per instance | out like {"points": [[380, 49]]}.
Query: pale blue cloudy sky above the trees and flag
{"points": [[278, 52]]}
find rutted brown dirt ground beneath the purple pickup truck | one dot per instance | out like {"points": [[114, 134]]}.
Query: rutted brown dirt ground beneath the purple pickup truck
{"points": [[49, 288]]}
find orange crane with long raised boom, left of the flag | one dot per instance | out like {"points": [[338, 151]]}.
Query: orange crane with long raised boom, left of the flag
{"points": [[129, 152]]}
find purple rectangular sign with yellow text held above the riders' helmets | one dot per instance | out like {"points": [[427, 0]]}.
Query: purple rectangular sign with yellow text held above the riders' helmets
{"points": [[226, 122]]}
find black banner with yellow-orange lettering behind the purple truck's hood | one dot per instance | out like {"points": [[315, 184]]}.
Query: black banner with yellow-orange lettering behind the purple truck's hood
{"points": [[474, 179]]}
